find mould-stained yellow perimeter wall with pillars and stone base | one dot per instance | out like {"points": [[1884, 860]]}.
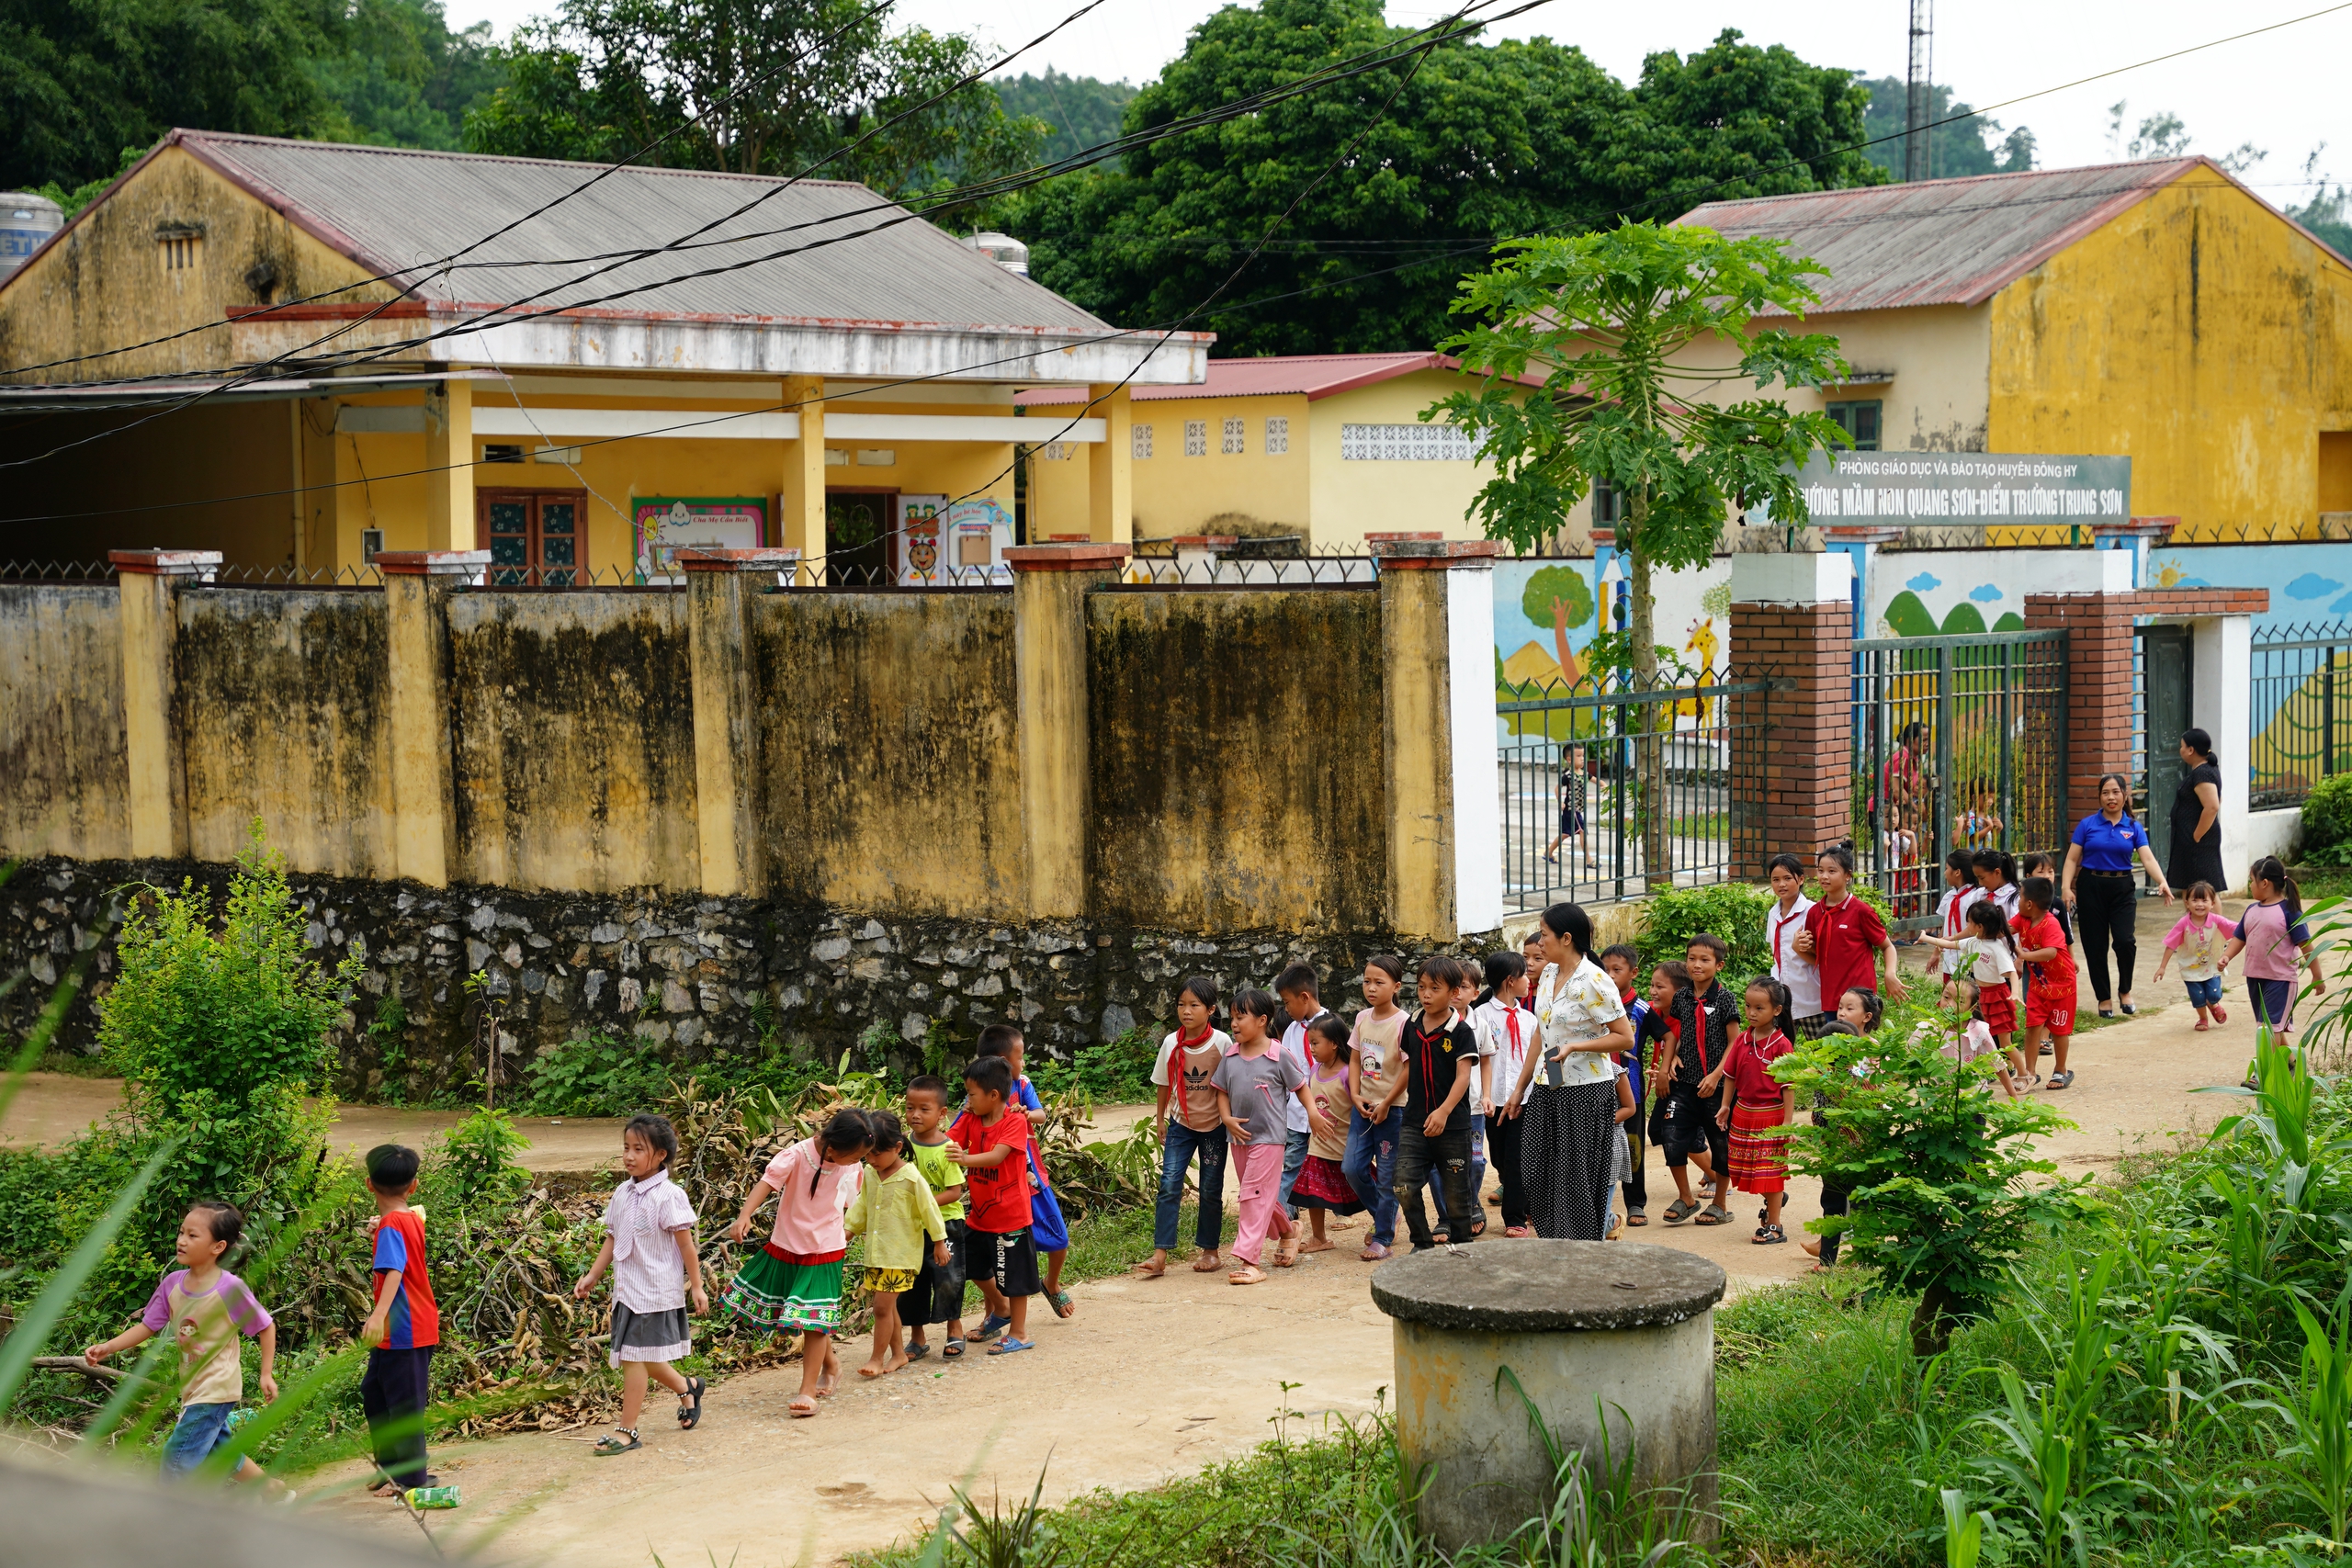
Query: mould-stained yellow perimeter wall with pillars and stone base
{"points": [[669, 815]]}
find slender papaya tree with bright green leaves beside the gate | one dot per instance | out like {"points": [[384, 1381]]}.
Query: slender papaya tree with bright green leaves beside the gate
{"points": [[1636, 335]]}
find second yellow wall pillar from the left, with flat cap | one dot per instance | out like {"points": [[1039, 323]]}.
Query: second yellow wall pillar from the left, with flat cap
{"points": [[417, 589]]}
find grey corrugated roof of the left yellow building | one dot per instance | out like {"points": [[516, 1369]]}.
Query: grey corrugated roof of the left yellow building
{"points": [[857, 257]]}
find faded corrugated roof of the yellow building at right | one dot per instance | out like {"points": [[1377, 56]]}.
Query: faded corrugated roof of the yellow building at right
{"points": [[1944, 241]]}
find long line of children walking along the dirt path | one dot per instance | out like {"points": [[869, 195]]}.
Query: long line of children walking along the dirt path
{"points": [[1325, 1118]]}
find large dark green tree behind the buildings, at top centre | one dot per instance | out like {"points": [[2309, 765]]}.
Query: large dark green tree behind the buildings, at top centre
{"points": [[1488, 140]]}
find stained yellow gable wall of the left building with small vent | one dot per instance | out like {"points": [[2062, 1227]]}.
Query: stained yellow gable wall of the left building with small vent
{"points": [[107, 286]]}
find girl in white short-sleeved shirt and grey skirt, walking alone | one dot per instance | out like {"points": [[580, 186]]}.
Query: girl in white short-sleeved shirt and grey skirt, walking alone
{"points": [[650, 1252]]}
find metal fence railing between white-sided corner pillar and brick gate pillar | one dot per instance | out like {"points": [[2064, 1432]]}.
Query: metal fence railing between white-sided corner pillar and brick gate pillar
{"points": [[1612, 793]]}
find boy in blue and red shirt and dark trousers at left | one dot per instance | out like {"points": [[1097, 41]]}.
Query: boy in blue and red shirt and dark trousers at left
{"points": [[403, 1327]]}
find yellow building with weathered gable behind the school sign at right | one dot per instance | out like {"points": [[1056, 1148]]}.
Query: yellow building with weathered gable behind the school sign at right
{"points": [[2158, 311]]}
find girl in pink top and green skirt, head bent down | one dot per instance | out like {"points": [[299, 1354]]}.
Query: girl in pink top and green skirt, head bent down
{"points": [[796, 1280]]}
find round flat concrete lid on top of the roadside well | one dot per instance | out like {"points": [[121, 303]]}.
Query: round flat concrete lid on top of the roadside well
{"points": [[1546, 1287]]}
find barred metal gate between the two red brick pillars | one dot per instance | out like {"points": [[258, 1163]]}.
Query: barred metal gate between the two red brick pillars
{"points": [[1958, 744]]}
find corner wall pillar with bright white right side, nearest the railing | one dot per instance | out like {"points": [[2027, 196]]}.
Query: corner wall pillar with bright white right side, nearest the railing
{"points": [[1445, 805]]}
